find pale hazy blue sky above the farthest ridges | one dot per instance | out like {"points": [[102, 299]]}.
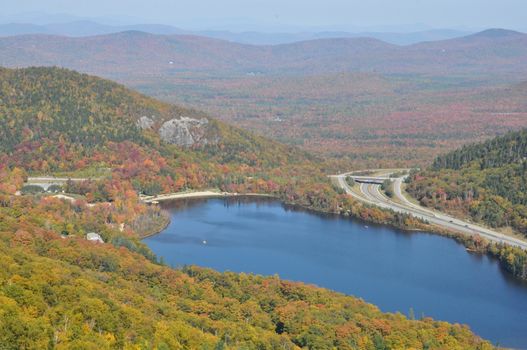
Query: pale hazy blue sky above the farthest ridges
{"points": [[279, 14]]}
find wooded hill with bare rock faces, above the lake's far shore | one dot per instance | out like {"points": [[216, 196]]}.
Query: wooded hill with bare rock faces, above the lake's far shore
{"points": [[94, 113]]}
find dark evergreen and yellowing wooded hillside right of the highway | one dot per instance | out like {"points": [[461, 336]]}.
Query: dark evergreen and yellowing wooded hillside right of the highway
{"points": [[487, 181]]}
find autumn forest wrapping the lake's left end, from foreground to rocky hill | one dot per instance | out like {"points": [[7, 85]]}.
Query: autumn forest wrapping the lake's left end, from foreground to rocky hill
{"points": [[60, 291]]}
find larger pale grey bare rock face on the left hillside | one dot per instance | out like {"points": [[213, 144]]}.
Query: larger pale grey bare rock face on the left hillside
{"points": [[185, 132]]}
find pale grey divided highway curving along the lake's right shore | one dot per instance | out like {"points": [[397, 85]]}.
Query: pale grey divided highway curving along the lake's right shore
{"points": [[371, 194]]}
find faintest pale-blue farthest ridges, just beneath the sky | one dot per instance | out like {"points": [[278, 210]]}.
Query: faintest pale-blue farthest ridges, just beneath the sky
{"points": [[81, 28]]}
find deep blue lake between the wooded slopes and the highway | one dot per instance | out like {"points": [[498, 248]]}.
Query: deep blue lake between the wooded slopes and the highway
{"points": [[396, 270]]}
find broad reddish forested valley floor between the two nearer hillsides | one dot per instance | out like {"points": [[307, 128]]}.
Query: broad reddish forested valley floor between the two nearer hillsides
{"points": [[370, 120]]}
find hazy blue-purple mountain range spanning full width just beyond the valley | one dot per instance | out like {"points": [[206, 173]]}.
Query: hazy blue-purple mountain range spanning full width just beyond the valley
{"points": [[136, 53]]}
